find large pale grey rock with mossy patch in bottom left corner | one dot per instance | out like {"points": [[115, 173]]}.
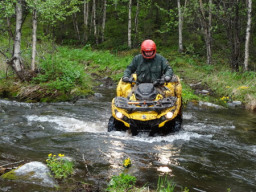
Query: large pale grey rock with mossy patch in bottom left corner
{"points": [[33, 172]]}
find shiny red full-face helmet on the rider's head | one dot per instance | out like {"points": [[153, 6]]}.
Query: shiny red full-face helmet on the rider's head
{"points": [[148, 49]]}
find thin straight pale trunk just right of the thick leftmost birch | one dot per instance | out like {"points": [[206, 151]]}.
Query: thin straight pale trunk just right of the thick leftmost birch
{"points": [[34, 39]]}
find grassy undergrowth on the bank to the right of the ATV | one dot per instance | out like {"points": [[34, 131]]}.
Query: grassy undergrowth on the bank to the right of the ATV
{"points": [[217, 77]]}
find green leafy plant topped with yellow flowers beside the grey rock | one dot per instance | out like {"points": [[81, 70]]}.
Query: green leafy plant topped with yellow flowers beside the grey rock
{"points": [[60, 167]]}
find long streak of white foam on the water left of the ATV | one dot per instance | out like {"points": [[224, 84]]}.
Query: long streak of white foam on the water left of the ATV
{"points": [[68, 124]]}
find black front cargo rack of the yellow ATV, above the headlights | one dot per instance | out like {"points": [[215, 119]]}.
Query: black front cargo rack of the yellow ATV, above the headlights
{"points": [[132, 106]]}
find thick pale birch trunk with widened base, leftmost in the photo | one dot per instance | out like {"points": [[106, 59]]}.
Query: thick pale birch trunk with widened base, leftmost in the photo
{"points": [[16, 59]]}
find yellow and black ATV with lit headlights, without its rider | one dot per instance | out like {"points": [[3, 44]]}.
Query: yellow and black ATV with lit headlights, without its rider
{"points": [[152, 107]]}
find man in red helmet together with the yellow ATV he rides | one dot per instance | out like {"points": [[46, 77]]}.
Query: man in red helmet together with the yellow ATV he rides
{"points": [[148, 95]]}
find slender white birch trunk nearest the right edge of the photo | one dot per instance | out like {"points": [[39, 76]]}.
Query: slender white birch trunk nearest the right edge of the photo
{"points": [[248, 33]]}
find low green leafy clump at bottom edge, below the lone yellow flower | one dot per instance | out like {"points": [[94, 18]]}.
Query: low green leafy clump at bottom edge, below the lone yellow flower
{"points": [[121, 183]]}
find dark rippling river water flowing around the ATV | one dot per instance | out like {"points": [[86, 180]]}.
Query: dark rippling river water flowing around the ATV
{"points": [[216, 149]]}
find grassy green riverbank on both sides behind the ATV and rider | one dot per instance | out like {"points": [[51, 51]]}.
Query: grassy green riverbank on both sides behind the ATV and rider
{"points": [[71, 73]]}
